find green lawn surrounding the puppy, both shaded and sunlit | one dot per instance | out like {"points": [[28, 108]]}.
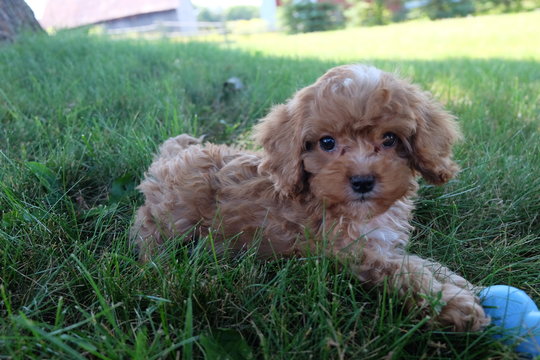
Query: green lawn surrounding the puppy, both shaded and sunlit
{"points": [[80, 118]]}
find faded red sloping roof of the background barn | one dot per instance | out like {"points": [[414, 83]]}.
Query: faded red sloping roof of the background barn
{"points": [[73, 13]]}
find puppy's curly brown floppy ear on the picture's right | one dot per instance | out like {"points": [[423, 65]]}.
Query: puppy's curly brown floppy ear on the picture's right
{"points": [[436, 132]]}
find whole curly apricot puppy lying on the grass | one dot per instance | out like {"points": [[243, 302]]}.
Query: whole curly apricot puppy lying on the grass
{"points": [[337, 173]]}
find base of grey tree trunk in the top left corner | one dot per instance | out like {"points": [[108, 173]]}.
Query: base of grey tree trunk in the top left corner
{"points": [[16, 17]]}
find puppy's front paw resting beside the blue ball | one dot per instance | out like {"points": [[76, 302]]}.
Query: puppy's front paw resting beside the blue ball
{"points": [[462, 311]]}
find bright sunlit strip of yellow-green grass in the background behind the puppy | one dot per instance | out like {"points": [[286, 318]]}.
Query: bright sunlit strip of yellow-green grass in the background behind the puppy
{"points": [[512, 36]]}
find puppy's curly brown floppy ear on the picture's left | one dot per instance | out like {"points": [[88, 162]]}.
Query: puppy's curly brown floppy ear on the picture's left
{"points": [[280, 135]]}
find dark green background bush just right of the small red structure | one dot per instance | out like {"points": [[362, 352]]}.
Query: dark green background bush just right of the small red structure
{"points": [[307, 16]]}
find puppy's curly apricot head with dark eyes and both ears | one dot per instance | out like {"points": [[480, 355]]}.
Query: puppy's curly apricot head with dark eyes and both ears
{"points": [[358, 137]]}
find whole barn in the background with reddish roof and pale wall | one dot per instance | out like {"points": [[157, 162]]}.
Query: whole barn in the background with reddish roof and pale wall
{"points": [[120, 14]]}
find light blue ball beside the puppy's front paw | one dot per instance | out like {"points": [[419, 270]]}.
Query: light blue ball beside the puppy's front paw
{"points": [[516, 315]]}
